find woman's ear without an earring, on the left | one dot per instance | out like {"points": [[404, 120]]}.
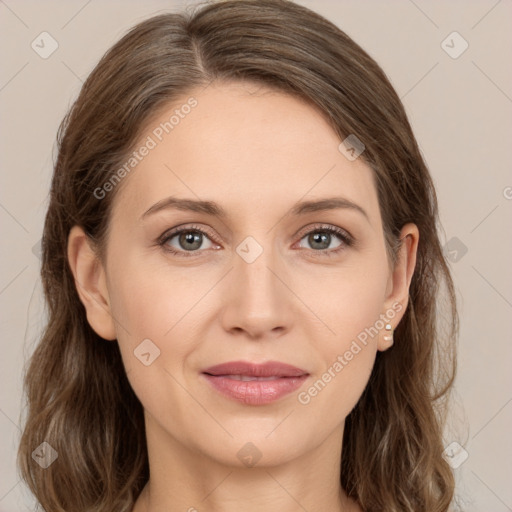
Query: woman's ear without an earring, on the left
{"points": [[90, 282]]}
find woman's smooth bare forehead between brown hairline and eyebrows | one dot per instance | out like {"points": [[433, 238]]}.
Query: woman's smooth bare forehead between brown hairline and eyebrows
{"points": [[247, 147]]}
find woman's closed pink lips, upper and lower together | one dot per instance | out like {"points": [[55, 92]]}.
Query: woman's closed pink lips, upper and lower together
{"points": [[255, 384]]}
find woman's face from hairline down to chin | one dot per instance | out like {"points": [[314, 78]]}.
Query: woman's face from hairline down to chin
{"points": [[263, 282]]}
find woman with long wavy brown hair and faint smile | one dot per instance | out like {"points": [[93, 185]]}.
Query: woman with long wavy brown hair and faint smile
{"points": [[242, 269]]}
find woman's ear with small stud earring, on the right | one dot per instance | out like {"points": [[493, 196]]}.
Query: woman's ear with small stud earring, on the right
{"points": [[397, 294]]}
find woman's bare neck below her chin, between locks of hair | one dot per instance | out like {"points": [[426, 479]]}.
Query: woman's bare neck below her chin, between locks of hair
{"points": [[185, 480]]}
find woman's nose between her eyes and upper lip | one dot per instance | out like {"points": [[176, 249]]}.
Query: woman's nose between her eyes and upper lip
{"points": [[257, 300]]}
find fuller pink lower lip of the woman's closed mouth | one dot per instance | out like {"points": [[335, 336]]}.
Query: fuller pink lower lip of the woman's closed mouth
{"points": [[255, 392]]}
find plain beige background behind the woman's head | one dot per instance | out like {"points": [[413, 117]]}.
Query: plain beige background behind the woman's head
{"points": [[460, 109]]}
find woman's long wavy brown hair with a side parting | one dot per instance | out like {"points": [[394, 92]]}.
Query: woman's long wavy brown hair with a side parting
{"points": [[78, 398]]}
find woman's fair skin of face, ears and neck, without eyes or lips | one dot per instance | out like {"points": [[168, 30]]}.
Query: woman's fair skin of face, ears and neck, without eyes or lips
{"points": [[256, 152]]}
